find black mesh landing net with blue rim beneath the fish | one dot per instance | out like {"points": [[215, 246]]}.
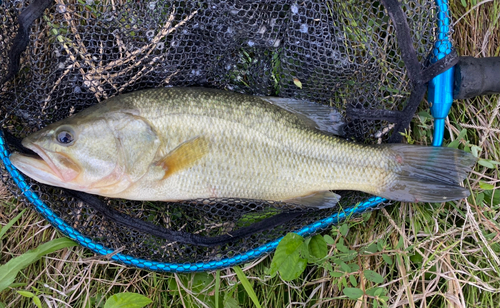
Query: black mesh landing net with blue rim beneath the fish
{"points": [[369, 59]]}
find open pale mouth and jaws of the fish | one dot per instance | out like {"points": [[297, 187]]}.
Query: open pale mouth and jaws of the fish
{"points": [[42, 168]]}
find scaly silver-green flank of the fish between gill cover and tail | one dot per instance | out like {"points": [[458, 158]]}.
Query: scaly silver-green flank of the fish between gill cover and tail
{"points": [[253, 140]]}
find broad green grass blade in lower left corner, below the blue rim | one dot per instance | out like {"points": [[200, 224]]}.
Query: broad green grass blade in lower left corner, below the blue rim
{"points": [[9, 270]]}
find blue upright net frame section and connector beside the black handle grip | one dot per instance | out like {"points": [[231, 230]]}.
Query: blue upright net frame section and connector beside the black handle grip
{"points": [[440, 92]]}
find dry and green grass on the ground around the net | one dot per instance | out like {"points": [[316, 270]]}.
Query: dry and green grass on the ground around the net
{"points": [[430, 255]]}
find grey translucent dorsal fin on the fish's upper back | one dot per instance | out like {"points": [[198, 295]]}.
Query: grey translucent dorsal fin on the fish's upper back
{"points": [[322, 117]]}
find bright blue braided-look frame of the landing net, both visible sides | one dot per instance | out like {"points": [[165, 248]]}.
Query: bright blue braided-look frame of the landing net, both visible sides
{"points": [[442, 48]]}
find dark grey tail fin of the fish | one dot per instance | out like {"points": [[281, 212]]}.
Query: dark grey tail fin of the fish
{"points": [[428, 174]]}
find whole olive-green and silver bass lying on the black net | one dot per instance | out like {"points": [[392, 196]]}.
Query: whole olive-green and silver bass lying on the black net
{"points": [[171, 144]]}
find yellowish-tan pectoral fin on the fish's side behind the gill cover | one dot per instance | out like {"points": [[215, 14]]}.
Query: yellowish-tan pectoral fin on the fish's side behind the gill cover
{"points": [[186, 155]]}
